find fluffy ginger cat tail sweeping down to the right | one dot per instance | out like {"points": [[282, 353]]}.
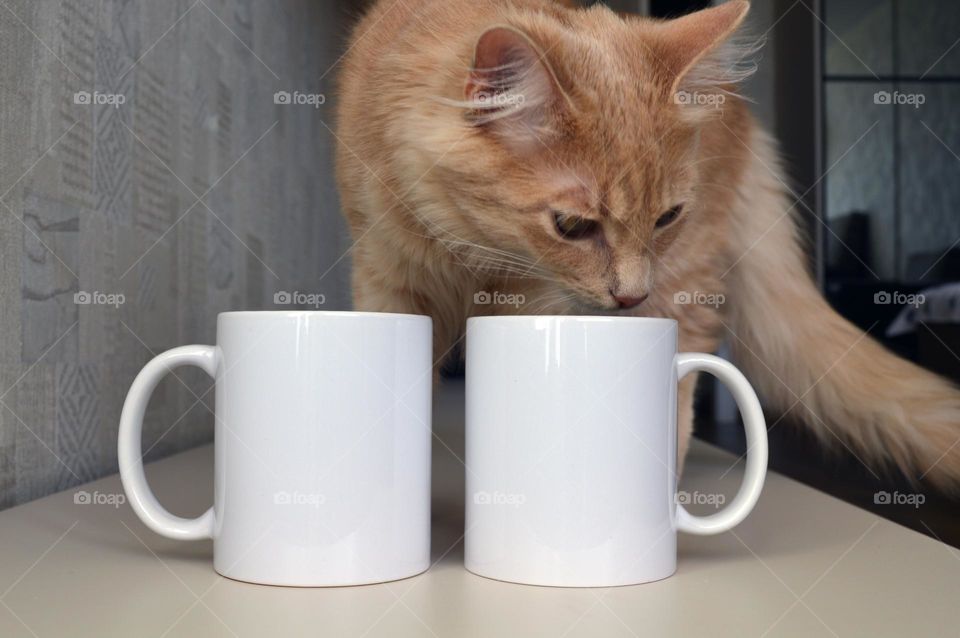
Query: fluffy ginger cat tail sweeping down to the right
{"points": [[805, 358]]}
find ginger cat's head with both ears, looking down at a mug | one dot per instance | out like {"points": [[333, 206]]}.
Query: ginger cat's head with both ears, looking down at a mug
{"points": [[580, 142]]}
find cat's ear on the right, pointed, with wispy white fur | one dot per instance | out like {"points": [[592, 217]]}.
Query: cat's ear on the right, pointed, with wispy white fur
{"points": [[697, 53]]}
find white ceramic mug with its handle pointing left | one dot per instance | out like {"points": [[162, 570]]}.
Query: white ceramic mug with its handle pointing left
{"points": [[322, 447]]}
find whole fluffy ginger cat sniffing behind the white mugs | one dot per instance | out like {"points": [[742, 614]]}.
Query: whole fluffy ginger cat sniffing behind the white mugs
{"points": [[590, 162]]}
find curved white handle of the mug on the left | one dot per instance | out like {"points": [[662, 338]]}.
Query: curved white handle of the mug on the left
{"points": [[143, 501]]}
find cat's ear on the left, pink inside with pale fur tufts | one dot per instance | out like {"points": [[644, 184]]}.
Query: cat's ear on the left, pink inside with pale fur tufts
{"points": [[512, 90]]}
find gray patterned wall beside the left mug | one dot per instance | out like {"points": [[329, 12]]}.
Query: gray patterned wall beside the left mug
{"points": [[98, 198]]}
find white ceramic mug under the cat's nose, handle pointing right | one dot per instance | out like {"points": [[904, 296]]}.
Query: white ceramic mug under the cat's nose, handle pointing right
{"points": [[571, 449]]}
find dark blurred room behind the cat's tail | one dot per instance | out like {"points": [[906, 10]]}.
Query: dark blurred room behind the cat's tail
{"points": [[862, 95]]}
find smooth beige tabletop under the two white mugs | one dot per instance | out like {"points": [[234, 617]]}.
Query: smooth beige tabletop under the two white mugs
{"points": [[803, 564]]}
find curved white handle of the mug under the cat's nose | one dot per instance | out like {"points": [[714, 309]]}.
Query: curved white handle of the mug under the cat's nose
{"points": [[756, 431]]}
